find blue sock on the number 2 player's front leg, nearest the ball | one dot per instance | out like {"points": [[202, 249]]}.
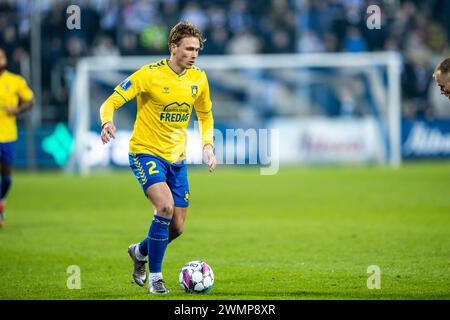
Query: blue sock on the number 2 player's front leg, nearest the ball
{"points": [[158, 237]]}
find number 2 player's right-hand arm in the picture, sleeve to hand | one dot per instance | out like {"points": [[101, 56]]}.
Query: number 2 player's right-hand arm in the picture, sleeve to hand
{"points": [[203, 109]]}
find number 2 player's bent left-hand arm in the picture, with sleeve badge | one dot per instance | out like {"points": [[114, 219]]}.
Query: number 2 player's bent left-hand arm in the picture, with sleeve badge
{"points": [[124, 92]]}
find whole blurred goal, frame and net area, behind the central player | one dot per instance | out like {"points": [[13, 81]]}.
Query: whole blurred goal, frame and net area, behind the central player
{"points": [[333, 108]]}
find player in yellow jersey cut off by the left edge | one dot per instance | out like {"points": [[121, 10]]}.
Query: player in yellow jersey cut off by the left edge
{"points": [[15, 98]]}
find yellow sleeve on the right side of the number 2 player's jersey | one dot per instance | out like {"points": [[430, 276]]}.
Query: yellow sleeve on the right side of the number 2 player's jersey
{"points": [[203, 109]]}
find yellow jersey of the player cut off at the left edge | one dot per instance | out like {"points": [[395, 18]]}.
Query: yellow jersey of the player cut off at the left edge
{"points": [[13, 89]]}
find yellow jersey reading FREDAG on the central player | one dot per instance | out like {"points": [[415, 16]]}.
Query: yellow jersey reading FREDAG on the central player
{"points": [[165, 102]]}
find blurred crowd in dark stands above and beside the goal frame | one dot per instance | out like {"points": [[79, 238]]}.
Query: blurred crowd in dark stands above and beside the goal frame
{"points": [[420, 30]]}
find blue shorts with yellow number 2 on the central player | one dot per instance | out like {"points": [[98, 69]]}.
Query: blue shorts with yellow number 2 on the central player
{"points": [[150, 169]]}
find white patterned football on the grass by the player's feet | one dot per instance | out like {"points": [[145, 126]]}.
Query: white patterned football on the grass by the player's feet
{"points": [[196, 277]]}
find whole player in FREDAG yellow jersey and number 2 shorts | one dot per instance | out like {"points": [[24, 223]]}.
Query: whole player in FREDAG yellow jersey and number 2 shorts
{"points": [[167, 93]]}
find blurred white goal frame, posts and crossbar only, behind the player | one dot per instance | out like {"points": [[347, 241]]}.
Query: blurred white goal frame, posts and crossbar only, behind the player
{"points": [[80, 118]]}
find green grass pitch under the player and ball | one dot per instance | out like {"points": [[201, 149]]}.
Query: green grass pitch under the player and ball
{"points": [[305, 233]]}
